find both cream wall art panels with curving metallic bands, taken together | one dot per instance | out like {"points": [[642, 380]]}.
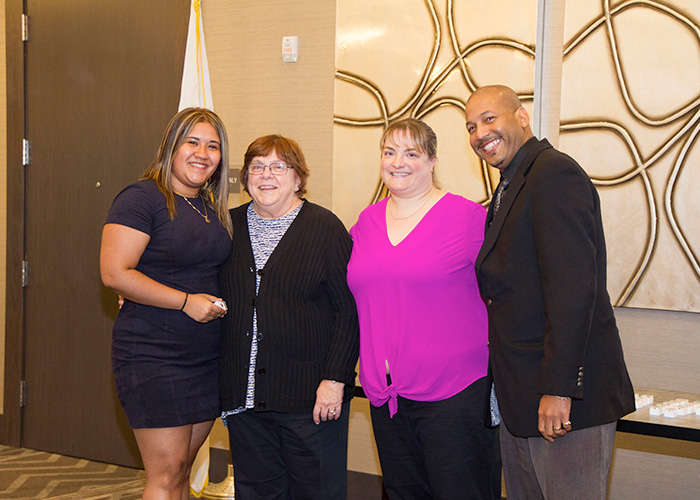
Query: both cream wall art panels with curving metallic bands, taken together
{"points": [[630, 114]]}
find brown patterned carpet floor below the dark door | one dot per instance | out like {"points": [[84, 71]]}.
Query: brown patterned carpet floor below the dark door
{"points": [[30, 475]]}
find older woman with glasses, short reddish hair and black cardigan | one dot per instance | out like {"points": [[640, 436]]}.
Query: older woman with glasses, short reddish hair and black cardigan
{"points": [[290, 340]]}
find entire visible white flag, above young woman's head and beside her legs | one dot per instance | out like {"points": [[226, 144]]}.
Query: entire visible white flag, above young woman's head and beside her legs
{"points": [[196, 92]]}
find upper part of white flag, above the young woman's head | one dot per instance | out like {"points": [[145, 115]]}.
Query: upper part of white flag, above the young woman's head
{"points": [[196, 86]]}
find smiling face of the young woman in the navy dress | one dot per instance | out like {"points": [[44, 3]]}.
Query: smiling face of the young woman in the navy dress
{"points": [[196, 159]]}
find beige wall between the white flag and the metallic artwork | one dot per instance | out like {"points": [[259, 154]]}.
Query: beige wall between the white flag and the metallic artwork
{"points": [[256, 93]]}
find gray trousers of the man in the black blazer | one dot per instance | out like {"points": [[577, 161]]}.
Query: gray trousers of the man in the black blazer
{"points": [[575, 466]]}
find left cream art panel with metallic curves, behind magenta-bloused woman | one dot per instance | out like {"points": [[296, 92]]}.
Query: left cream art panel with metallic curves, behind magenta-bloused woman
{"points": [[415, 58]]}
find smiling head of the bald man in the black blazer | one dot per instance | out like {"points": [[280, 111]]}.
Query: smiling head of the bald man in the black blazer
{"points": [[497, 125]]}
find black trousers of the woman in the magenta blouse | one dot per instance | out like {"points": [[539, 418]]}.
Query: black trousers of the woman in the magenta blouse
{"points": [[439, 449]]}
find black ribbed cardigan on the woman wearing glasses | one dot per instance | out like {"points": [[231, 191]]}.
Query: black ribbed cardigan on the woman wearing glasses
{"points": [[307, 318]]}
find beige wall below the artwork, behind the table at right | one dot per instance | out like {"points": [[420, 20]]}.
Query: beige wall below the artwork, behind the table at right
{"points": [[662, 349]]}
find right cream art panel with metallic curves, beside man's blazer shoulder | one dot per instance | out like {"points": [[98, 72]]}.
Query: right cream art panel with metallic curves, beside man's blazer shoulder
{"points": [[630, 114]]}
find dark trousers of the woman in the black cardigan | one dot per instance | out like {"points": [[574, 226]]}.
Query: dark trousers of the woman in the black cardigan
{"points": [[287, 456]]}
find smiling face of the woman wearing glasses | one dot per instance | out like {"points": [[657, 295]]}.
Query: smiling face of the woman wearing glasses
{"points": [[273, 195]]}
